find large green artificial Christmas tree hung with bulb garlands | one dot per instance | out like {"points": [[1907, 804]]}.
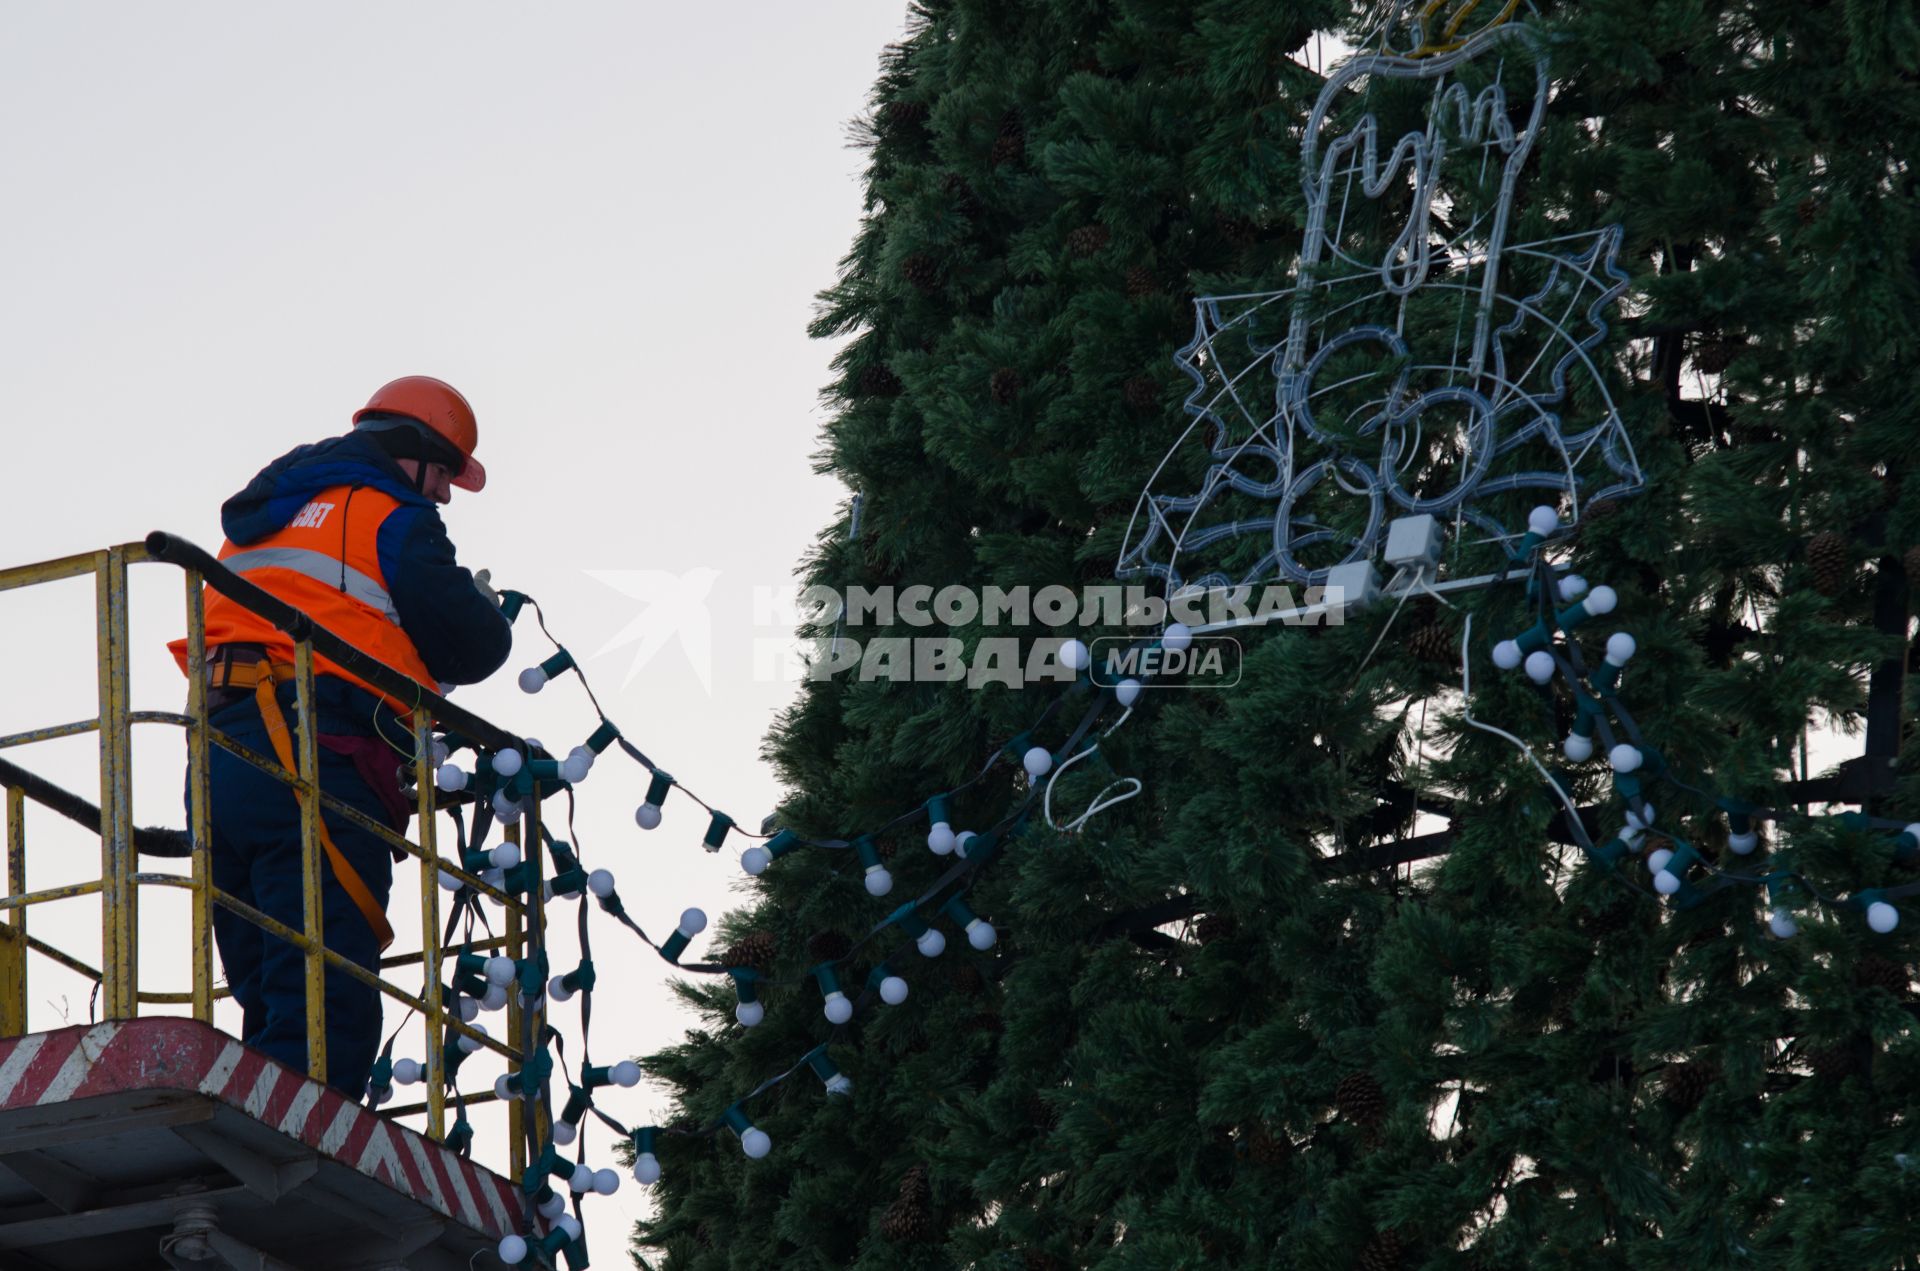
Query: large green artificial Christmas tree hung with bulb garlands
{"points": [[1487, 1038]]}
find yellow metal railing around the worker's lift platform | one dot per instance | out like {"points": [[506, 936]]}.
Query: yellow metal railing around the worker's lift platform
{"points": [[120, 844]]}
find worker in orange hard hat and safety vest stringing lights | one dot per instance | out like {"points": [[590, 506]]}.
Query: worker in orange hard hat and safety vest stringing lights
{"points": [[347, 531]]}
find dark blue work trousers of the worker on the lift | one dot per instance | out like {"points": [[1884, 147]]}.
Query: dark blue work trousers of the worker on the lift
{"points": [[256, 859]]}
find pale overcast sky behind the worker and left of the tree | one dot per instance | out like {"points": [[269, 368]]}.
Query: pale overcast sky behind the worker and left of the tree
{"points": [[228, 224]]}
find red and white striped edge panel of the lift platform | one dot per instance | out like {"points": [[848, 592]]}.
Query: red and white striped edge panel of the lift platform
{"points": [[185, 1055]]}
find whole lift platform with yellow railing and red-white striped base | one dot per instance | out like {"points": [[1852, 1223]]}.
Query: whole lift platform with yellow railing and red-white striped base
{"points": [[158, 1141]]}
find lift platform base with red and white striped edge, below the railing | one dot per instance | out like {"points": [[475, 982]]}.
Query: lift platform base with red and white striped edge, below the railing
{"points": [[164, 1143]]}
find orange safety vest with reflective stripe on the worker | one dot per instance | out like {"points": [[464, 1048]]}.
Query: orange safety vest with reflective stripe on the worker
{"points": [[325, 564]]}
